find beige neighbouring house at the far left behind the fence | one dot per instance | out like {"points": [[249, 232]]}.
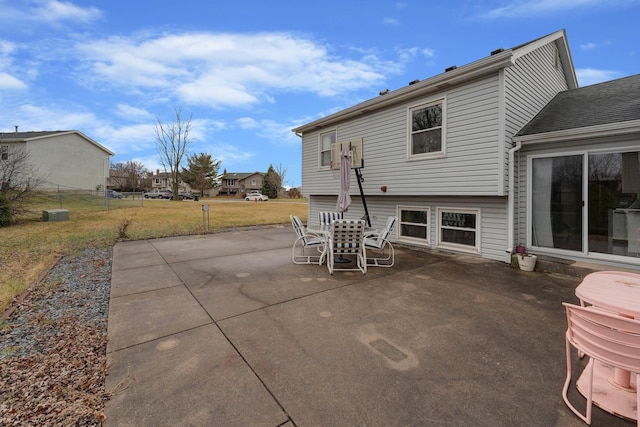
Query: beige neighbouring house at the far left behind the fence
{"points": [[66, 160]]}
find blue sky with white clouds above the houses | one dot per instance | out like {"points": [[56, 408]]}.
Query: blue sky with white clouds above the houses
{"points": [[249, 71]]}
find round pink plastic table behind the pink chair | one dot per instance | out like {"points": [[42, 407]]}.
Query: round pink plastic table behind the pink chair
{"points": [[618, 292]]}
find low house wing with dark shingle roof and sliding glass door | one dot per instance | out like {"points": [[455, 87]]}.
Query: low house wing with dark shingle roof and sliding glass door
{"points": [[578, 175]]}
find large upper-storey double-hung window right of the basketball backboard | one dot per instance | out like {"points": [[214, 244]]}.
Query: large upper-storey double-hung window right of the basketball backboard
{"points": [[426, 130]]}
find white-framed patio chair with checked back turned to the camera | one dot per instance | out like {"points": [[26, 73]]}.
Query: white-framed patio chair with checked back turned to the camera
{"points": [[346, 238]]}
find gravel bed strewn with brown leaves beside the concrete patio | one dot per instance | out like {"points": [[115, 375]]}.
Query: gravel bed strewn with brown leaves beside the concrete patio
{"points": [[53, 347]]}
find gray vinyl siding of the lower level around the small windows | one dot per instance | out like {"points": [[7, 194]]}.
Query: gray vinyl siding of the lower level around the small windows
{"points": [[492, 216]]}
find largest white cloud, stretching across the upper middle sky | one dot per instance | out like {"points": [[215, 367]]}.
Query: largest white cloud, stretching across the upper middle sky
{"points": [[226, 70]]}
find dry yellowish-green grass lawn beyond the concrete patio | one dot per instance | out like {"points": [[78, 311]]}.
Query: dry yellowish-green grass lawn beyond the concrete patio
{"points": [[27, 249]]}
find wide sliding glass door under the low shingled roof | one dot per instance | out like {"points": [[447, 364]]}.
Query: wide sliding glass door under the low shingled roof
{"points": [[588, 202]]}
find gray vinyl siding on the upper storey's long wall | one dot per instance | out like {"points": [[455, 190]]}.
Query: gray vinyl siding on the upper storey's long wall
{"points": [[470, 167]]}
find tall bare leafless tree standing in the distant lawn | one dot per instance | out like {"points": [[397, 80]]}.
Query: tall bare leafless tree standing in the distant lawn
{"points": [[173, 142]]}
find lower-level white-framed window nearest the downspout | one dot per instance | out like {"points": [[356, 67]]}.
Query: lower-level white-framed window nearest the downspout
{"points": [[459, 229]]}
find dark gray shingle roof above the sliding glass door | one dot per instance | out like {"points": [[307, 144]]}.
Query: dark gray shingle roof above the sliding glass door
{"points": [[600, 104]]}
